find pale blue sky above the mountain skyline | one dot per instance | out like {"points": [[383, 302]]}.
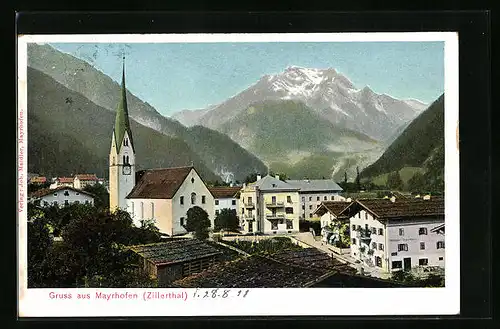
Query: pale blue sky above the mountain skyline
{"points": [[177, 76]]}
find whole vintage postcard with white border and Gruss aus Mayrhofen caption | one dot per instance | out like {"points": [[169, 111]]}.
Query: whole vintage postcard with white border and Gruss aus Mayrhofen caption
{"points": [[238, 174]]}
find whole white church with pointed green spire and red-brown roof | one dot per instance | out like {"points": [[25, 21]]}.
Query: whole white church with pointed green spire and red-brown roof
{"points": [[163, 195]]}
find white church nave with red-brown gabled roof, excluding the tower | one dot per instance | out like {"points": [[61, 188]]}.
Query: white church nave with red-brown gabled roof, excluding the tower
{"points": [[165, 195]]}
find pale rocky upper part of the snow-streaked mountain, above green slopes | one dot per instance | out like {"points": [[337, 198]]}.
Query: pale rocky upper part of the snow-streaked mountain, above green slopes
{"points": [[328, 92]]}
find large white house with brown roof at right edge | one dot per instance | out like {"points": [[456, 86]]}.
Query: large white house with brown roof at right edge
{"points": [[397, 234]]}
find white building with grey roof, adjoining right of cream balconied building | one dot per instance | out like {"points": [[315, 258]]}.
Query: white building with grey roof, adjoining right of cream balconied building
{"points": [[314, 191]]}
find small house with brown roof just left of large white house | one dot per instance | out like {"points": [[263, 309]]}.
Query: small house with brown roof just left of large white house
{"points": [[329, 214]]}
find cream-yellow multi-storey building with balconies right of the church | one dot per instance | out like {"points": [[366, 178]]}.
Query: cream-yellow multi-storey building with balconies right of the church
{"points": [[269, 206]]}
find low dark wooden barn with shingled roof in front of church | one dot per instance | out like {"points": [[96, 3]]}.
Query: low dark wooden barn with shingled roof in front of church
{"points": [[176, 259]]}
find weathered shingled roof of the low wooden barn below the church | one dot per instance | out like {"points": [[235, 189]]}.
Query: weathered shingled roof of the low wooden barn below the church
{"points": [[176, 251]]}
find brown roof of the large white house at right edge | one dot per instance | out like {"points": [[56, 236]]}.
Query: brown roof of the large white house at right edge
{"points": [[385, 208]]}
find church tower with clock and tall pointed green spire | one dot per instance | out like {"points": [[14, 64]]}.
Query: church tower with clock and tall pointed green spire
{"points": [[121, 155]]}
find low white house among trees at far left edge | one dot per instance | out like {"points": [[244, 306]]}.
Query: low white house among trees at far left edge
{"points": [[61, 196]]}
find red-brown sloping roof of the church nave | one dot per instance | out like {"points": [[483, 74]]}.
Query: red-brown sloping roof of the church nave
{"points": [[159, 183]]}
